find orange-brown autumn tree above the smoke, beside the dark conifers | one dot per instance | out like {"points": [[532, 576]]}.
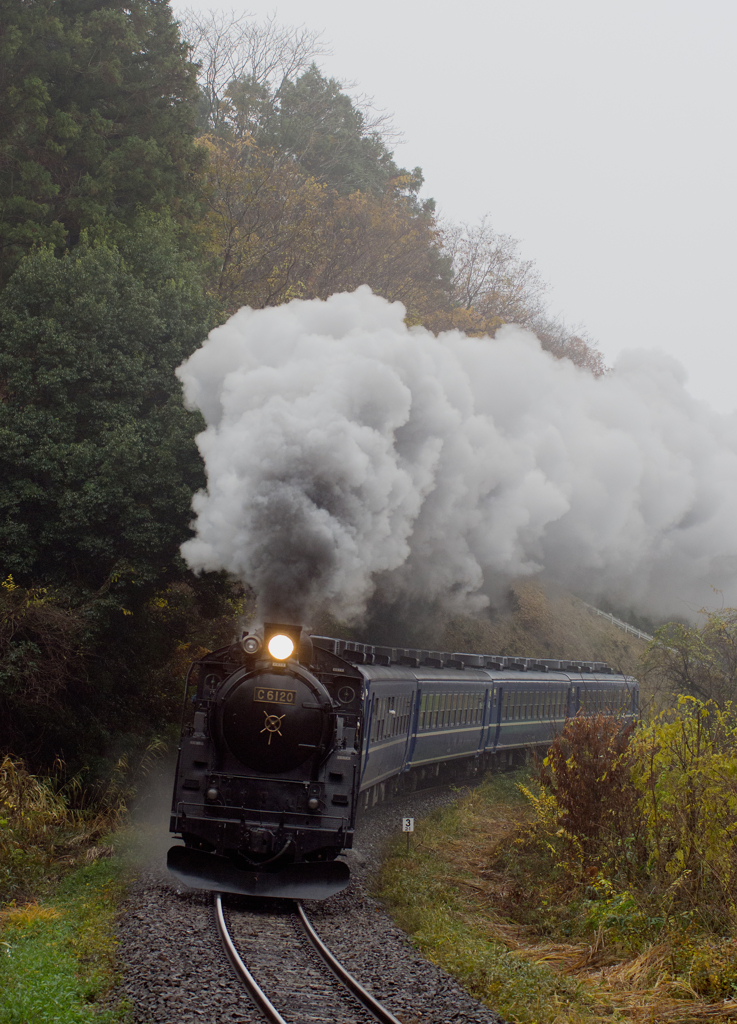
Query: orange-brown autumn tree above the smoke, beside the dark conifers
{"points": [[275, 234]]}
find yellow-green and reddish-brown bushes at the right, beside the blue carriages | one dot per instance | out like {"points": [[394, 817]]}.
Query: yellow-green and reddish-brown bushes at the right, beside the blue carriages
{"points": [[649, 814]]}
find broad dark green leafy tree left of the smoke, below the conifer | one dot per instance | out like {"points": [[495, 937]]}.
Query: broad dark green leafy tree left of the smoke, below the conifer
{"points": [[98, 454]]}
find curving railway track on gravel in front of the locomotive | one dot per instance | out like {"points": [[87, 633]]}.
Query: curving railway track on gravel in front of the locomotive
{"points": [[290, 974]]}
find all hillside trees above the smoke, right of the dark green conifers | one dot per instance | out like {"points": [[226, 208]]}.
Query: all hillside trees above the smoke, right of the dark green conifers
{"points": [[304, 199]]}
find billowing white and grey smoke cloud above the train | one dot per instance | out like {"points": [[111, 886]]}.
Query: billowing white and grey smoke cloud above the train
{"points": [[346, 452]]}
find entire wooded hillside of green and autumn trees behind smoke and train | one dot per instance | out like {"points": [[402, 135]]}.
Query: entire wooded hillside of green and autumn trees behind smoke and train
{"points": [[155, 177]]}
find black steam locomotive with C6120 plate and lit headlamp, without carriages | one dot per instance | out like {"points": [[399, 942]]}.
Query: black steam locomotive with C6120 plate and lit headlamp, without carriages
{"points": [[269, 771]]}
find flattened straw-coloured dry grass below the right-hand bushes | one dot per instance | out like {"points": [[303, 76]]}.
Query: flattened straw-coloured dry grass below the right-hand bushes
{"points": [[461, 854]]}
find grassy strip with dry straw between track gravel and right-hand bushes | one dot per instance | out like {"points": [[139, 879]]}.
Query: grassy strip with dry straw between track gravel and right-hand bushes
{"points": [[481, 902]]}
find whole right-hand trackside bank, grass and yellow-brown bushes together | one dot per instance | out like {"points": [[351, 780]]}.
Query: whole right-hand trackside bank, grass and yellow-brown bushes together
{"points": [[599, 886]]}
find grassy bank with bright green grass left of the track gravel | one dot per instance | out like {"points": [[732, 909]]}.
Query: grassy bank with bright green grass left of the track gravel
{"points": [[61, 885]]}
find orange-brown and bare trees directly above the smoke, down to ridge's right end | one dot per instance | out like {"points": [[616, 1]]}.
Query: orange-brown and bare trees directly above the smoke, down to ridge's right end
{"points": [[276, 232]]}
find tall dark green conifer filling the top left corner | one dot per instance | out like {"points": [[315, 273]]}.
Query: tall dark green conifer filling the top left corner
{"points": [[99, 103]]}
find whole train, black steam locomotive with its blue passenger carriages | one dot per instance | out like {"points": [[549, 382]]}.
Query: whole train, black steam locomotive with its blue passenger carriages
{"points": [[286, 735]]}
